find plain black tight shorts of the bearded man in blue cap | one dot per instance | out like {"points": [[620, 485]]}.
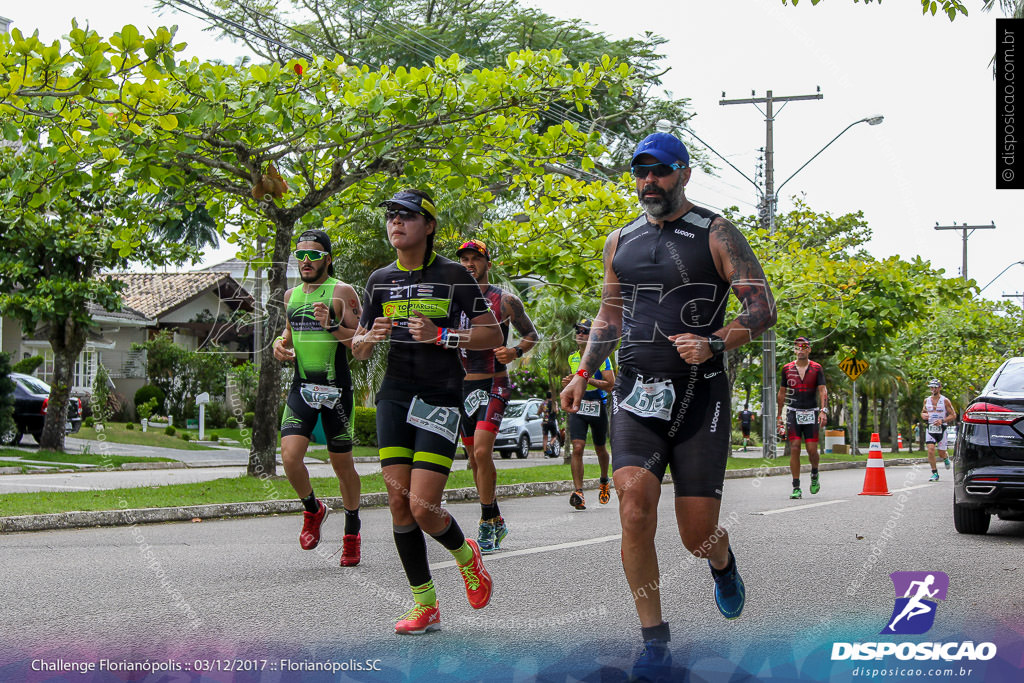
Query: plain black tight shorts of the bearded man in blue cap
{"points": [[695, 443]]}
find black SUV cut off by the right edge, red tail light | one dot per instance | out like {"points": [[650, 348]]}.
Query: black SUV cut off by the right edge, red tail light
{"points": [[989, 476]]}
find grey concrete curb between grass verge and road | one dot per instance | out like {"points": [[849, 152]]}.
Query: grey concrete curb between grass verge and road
{"points": [[131, 518]]}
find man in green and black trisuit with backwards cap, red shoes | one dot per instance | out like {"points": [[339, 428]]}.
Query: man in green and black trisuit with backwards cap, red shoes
{"points": [[323, 315]]}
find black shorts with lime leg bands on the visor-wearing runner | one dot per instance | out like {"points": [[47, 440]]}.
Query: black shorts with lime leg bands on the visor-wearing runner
{"points": [[403, 444]]}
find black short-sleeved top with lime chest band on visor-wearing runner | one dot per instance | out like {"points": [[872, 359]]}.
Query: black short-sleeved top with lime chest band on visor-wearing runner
{"points": [[442, 291]]}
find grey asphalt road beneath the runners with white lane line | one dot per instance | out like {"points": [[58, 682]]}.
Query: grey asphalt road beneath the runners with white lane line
{"points": [[562, 609]]}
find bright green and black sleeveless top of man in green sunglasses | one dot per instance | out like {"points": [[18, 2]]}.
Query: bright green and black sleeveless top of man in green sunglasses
{"points": [[320, 358]]}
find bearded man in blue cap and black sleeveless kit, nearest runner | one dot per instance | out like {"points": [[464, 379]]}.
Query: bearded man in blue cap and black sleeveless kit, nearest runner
{"points": [[667, 280]]}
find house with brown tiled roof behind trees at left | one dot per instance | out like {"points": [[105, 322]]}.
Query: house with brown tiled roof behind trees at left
{"points": [[200, 310]]}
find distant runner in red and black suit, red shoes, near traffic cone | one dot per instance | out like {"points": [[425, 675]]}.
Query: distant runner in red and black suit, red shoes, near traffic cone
{"points": [[802, 387]]}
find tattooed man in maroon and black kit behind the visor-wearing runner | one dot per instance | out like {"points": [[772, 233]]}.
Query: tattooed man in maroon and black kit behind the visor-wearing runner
{"points": [[487, 392]]}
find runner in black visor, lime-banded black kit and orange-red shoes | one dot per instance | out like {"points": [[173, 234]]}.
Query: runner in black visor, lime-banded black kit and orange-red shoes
{"points": [[417, 303]]}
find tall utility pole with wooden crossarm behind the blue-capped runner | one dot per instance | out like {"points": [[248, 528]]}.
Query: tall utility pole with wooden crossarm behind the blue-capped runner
{"points": [[769, 398]]}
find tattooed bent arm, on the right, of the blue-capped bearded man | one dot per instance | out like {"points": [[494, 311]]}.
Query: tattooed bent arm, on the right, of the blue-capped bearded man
{"points": [[737, 264]]}
